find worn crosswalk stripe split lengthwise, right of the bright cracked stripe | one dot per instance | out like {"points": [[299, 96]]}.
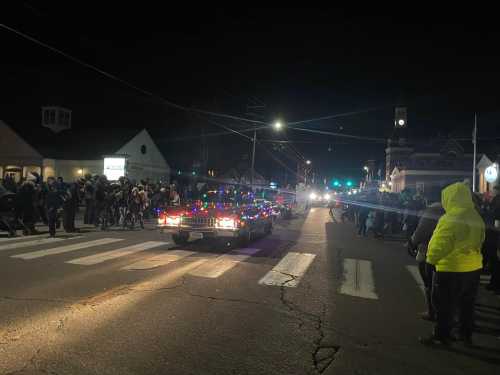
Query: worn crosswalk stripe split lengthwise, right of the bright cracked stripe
{"points": [[358, 279]]}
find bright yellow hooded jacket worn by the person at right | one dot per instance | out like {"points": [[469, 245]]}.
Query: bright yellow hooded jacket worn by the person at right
{"points": [[456, 243]]}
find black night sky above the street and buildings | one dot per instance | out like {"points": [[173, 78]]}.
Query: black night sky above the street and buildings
{"points": [[298, 63]]}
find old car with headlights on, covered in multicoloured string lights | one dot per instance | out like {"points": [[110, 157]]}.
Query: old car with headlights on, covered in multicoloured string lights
{"points": [[217, 216]]}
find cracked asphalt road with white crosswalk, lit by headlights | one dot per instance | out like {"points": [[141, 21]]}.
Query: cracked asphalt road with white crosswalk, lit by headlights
{"points": [[310, 298]]}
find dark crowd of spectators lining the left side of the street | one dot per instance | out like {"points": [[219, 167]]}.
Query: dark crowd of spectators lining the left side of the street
{"points": [[55, 201]]}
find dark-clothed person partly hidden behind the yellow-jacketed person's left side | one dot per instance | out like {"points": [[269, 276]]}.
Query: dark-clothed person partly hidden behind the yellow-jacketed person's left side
{"points": [[420, 240]]}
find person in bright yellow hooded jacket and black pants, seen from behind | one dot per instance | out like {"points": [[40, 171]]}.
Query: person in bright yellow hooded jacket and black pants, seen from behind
{"points": [[455, 251]]}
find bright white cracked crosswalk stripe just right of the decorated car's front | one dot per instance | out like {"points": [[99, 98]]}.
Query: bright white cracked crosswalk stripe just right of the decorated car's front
{"points": [[289, 271]]}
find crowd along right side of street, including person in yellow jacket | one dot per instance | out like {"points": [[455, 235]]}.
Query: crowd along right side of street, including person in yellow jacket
{"points": [[454, 238]]}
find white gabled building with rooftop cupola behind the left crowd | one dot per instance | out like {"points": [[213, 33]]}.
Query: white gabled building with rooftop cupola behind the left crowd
{"points": [[54, 149]]}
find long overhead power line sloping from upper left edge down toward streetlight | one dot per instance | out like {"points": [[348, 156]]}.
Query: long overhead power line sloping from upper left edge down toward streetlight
{"points": [[124, 82]]}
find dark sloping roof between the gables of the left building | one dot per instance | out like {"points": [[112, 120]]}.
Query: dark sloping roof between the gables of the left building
{"points": [[76, 144]]}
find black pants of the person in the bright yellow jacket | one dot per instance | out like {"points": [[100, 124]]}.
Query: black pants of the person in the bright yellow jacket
{"points": [[454, 291]]}
